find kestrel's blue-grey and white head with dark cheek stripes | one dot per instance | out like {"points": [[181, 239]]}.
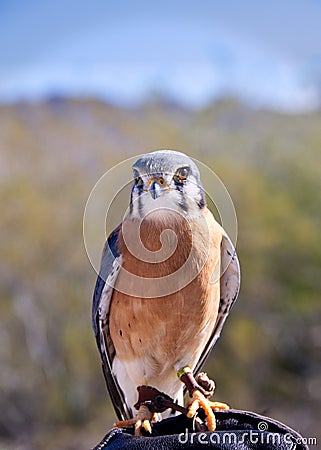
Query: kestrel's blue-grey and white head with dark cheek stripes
{"points": [[166, 179]]}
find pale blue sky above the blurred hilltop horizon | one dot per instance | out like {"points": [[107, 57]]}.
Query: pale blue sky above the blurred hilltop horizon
{"points": [[266, 53]]}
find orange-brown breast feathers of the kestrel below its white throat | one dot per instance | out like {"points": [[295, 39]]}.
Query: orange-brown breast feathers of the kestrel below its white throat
{"points": [[176, 288]]}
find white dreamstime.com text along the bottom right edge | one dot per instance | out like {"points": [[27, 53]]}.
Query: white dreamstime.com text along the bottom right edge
{"points": [[249, 437]]}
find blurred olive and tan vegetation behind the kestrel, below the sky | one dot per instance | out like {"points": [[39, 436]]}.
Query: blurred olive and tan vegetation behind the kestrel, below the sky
{"points": [[52, 393]]}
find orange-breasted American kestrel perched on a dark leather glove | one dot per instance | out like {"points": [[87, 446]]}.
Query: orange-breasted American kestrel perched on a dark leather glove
{"points": [[168, 279]]}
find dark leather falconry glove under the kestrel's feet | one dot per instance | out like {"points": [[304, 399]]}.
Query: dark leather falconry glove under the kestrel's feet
{"points": [[235, 430]]}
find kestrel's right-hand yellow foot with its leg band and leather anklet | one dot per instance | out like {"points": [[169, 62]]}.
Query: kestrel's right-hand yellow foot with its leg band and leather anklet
{"points": [[199, 389]]}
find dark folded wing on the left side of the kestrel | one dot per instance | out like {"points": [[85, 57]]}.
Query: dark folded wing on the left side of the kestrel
{"points": [[110, 266]]}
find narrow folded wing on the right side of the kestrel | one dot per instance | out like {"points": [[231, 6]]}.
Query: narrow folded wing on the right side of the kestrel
{"points": [[229, 289]]}
